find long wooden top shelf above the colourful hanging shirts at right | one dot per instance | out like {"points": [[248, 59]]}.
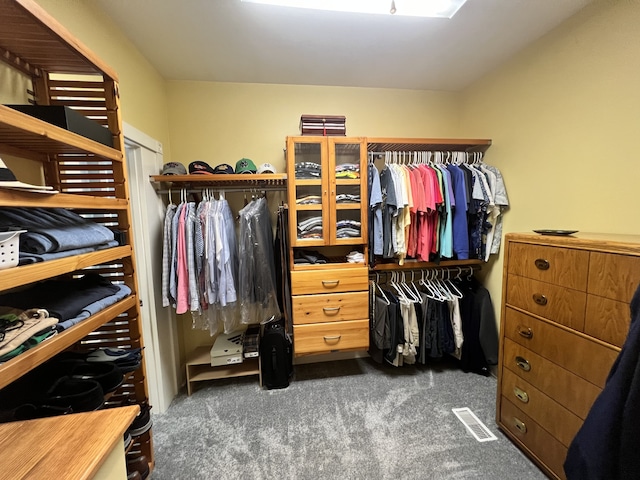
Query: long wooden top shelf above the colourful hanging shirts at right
{"points": [[383, 144]]}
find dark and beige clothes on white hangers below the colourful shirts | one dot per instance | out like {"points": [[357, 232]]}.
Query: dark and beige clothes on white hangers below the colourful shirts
{"points": [[421, 321]]}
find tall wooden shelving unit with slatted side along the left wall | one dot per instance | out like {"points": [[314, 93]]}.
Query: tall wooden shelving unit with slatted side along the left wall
{"points": [[91, 178]]}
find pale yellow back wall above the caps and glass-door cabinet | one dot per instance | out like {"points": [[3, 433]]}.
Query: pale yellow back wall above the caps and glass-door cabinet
{"points": [[223, 122]]}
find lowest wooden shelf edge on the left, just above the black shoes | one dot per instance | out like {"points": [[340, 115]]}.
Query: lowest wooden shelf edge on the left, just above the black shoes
{"points": [[25, 362]]}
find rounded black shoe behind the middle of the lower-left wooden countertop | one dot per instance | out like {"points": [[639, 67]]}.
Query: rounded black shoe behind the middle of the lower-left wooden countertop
{"points": [[79, 395]]}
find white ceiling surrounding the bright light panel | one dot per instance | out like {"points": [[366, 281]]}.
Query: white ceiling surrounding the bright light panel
{"points": [[234, 41]]}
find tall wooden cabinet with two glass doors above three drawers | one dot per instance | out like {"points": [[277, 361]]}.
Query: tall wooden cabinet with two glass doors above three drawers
{"points": [[327, 195]]}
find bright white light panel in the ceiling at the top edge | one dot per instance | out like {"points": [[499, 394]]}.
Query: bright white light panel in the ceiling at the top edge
{"points": [[411, 8]]}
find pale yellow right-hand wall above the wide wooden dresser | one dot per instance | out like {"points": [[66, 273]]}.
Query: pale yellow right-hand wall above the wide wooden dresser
{"points": [[564, 117]]}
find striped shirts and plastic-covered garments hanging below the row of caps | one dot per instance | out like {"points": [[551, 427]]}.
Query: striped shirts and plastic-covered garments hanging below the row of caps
{"points": [[206, 271]]}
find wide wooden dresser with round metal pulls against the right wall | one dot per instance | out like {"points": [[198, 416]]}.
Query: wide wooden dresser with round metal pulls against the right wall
{"points": [[565, 315]]}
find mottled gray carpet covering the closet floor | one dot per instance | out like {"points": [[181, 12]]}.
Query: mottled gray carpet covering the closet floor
{"points": [[345, 420]]}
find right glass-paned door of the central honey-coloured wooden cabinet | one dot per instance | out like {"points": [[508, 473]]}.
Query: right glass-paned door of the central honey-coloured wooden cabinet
{"points": [[347, 171]]}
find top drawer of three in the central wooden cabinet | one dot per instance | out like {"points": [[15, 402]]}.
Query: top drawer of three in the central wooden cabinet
{"points": [[329, 281]]}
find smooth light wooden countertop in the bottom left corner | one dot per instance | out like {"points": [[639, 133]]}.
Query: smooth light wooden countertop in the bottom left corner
{"points": [[65, 447]]}
